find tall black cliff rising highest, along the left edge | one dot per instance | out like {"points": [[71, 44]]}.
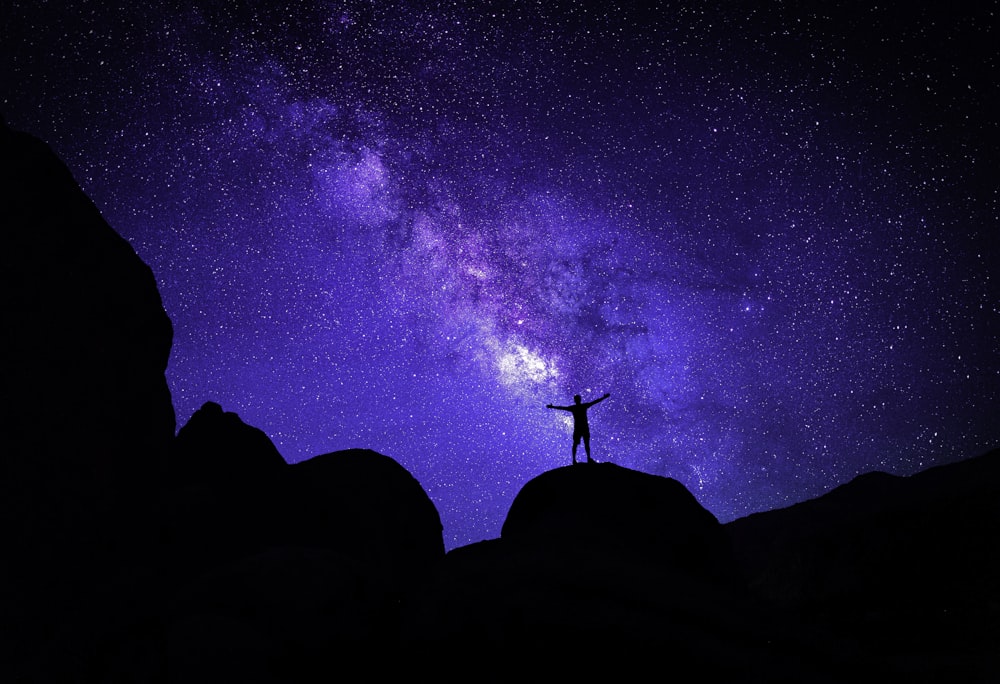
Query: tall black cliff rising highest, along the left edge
{"points": [[86, 417]]}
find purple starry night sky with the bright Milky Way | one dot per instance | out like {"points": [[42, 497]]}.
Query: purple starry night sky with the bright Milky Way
{"points": [[770, 234]]}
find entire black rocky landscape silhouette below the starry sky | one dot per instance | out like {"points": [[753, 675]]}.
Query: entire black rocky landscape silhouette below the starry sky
{"points": [[134, 555]]}
